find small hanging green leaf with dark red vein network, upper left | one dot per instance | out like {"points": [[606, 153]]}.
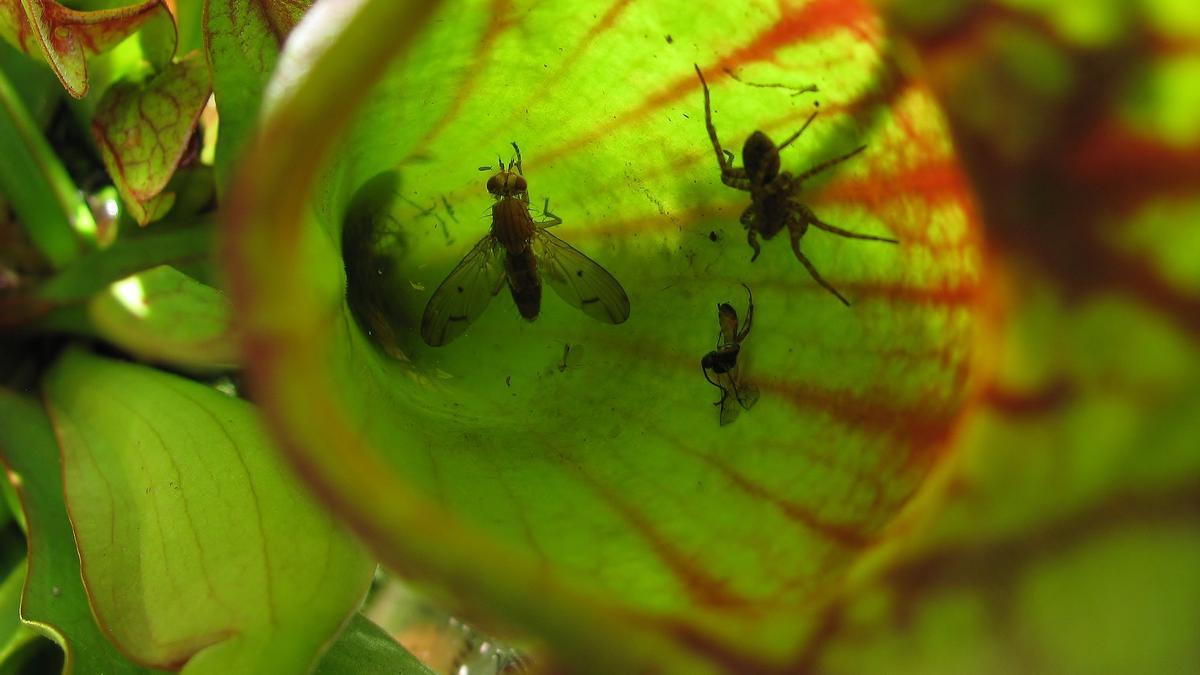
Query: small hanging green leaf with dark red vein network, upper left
{"points": [[143, 129]]}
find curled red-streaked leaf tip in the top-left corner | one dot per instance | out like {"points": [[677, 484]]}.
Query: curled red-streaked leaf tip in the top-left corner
{"points": [[68, 38]]}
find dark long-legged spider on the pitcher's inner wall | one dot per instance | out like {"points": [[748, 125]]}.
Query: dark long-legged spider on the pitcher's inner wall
{"points": [[773, 193]]}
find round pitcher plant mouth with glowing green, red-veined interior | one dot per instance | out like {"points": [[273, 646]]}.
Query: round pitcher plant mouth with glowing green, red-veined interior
{"points": [[494, 449]]}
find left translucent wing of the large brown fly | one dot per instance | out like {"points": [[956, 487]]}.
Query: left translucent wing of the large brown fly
{"points": [[464, 296]]}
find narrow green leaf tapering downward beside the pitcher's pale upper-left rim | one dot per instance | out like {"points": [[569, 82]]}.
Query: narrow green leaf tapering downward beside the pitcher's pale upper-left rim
{"points": [[243, 43]]}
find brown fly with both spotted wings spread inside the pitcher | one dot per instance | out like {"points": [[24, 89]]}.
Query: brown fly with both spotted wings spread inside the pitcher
{"points": [[523, 253]]}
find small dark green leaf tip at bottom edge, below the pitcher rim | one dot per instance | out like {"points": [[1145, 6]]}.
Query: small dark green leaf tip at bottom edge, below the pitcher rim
{"points": [[365, 649]]}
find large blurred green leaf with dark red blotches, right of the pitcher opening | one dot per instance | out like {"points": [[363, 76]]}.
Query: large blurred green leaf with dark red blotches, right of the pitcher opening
{"points": [[1066, 535]]}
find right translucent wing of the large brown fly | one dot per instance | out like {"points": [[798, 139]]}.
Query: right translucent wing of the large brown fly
{"points": [[579, 280]]}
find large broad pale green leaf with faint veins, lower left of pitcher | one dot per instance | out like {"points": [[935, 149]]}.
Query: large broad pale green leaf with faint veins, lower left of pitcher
{"points": [[197, 546]]}
